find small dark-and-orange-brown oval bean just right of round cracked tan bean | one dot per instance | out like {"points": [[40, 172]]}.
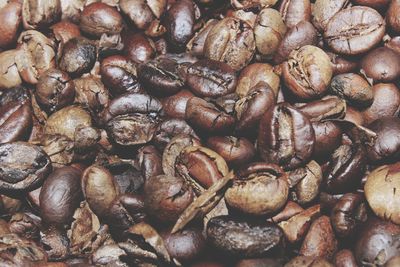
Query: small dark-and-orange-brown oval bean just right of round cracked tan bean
{"points": [[353, 88]]}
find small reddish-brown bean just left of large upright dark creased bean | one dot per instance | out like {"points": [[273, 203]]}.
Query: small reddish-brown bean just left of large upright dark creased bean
{"points": [[235, 151]]}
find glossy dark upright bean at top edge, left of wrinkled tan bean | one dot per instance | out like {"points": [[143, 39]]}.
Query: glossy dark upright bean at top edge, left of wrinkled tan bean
{"points": [[180, 20]]}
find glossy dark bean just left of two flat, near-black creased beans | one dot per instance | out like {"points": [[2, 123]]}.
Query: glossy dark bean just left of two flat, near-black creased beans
{"points": [[119, 75]]}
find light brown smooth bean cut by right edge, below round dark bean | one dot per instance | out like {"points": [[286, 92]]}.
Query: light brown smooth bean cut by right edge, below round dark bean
{"points": [[386, 102]]}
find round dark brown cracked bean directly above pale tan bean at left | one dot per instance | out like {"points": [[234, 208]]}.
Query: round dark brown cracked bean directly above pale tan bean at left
{"points": [[55, 90]]}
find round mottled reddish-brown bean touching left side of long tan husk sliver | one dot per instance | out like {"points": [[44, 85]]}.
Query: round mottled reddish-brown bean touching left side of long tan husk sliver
{"points": [[166, 197]]}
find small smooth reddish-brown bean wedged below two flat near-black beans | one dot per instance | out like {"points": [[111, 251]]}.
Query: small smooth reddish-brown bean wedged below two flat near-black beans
{"points": [[175, 106]]}
